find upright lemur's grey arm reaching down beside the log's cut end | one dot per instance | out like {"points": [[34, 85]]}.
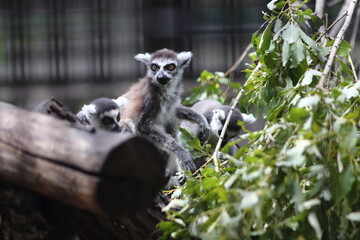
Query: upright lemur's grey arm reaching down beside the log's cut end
{"points": [[169, 143]]}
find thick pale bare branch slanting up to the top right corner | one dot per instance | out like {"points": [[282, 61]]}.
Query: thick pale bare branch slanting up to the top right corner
{"points": [[337, 42]]}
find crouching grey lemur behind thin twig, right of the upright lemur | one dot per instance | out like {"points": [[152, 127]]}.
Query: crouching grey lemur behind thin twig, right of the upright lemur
{"points": [[216, 113]]}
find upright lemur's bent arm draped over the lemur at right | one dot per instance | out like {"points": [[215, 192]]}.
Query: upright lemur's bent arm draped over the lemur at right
{"points": [[186, 113]]}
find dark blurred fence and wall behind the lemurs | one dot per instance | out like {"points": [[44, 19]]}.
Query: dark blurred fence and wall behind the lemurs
{"points": [[78, 50]]}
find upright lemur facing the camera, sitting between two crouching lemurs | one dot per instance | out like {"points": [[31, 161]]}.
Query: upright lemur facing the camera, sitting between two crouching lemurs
{"points": [[154, 106]]}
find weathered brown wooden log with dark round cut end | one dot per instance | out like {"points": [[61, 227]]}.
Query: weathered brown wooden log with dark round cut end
{"points": [[105, 173]]}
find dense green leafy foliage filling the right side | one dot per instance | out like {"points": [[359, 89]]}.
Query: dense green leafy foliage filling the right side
{"points": [[299, 177]]}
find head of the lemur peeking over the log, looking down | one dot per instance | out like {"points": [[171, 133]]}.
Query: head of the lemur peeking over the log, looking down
{"points": [[102, 113]]}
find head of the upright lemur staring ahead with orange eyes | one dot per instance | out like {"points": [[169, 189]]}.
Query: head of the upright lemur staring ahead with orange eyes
{"points": [[163, 66]]}
